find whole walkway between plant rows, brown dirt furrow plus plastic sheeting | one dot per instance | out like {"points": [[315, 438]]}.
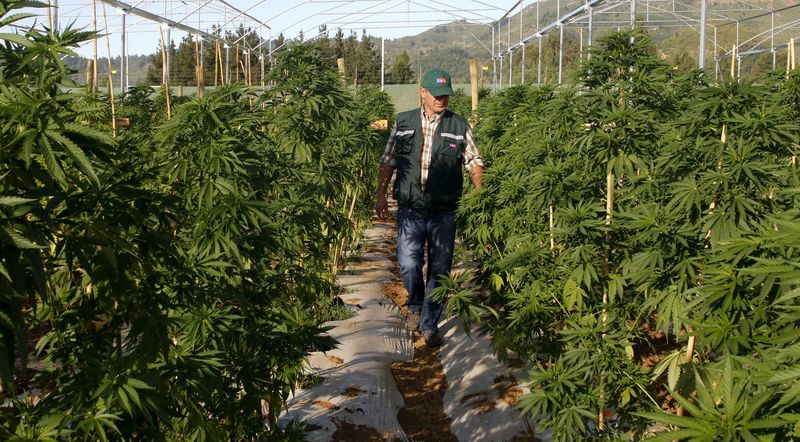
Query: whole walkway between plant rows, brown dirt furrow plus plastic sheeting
{"points": [[383, 383]]}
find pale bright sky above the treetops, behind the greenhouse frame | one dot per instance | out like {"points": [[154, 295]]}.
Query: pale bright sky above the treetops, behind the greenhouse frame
{"points": [[390, 18]]}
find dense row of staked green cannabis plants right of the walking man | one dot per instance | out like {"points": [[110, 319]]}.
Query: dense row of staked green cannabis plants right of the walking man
{"points": [[637, 239]]}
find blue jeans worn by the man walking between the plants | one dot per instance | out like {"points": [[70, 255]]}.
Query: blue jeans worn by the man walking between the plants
{"points": [[415, 227]]}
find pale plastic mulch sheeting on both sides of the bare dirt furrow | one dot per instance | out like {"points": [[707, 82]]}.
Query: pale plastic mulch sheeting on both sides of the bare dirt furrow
{"points": [[358, 387]]}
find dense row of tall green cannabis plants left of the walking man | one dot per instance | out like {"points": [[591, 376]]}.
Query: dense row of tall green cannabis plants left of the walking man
{"points": [[167, 281]]}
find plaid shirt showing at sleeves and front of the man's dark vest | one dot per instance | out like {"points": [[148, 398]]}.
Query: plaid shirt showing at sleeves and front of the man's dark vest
{"points": [[472, 157]]}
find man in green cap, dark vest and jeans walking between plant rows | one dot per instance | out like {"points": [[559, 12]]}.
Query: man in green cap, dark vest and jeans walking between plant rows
{"points": [[428, 147]]}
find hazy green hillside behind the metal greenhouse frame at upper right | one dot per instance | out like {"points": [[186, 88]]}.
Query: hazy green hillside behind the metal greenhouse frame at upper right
{"points": [[450, 46]]}
